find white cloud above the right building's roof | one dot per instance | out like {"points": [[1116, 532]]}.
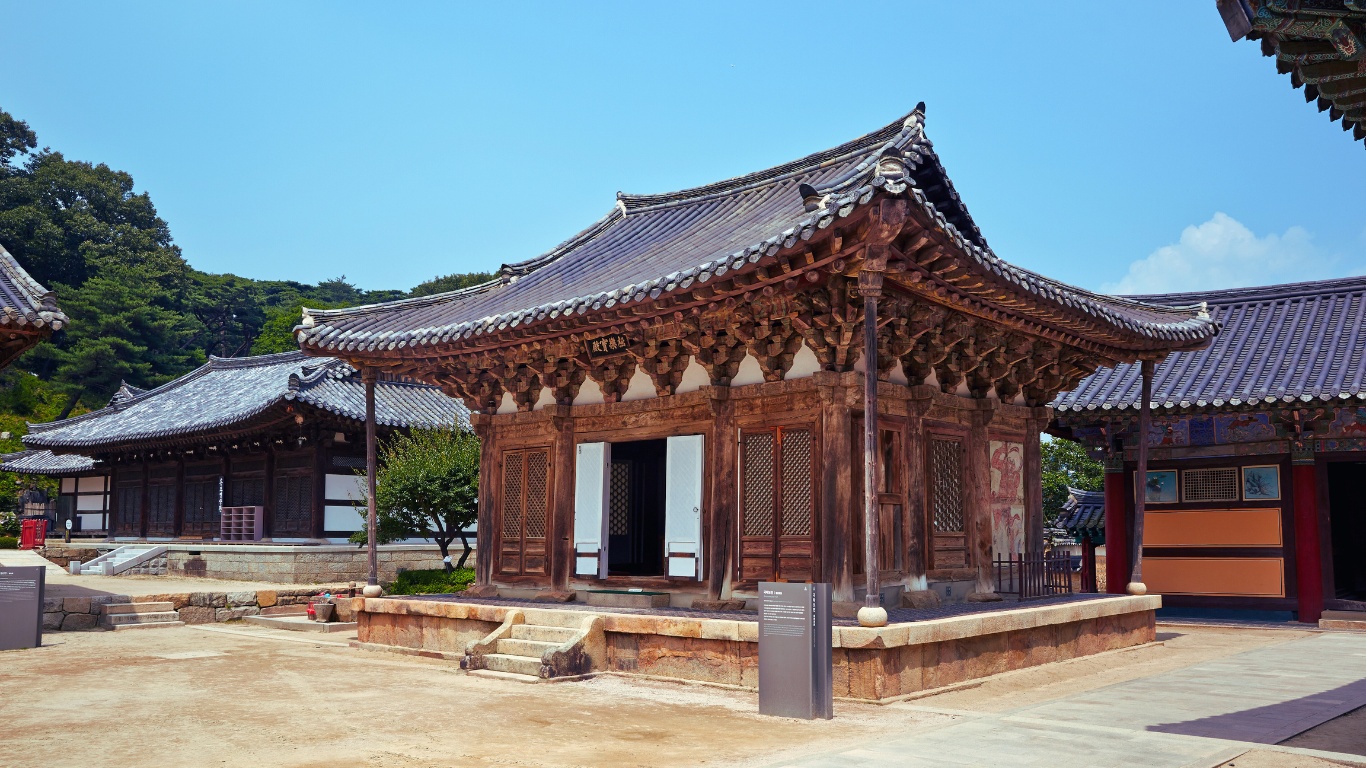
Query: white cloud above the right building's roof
{"points": [[1223, 253]]}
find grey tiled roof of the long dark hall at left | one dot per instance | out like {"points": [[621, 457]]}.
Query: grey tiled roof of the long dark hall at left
{"points": [[232, 392]]}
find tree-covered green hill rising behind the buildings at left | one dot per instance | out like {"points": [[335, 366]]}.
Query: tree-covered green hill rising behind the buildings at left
{"points": [[140, 314]]}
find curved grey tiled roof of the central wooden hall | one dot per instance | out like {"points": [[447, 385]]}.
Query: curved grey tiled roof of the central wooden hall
{"points": [[849, 177]]}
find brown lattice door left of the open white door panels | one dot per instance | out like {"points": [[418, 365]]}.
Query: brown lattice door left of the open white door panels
{"points": [[525, 505]]}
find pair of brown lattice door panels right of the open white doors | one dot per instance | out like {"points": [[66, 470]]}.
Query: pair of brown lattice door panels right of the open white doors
{"points": [[778, 505]]}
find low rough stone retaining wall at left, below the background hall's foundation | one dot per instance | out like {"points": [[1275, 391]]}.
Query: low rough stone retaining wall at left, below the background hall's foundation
{"points": [[70, 614]]}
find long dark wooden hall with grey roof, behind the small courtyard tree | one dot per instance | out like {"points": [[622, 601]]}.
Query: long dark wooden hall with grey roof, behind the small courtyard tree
{"points": [[274, 441]]}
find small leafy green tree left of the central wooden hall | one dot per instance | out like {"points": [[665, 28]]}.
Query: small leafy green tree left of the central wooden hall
{"points": [[428, 484]]}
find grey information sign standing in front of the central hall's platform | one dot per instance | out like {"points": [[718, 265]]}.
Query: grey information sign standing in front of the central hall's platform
{"points": [[796, 651]]}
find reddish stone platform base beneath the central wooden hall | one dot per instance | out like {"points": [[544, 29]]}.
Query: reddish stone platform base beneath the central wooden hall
{"points": [[871, 665]]}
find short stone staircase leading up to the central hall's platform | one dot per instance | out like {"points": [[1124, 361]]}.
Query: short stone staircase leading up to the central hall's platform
{"points": [[521, 653]]}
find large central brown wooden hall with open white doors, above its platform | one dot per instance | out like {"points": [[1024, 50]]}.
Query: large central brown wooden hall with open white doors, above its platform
{"points": [[818, 372]]}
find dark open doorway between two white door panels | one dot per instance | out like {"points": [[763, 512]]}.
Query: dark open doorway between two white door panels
{"points": [[636, 509]]}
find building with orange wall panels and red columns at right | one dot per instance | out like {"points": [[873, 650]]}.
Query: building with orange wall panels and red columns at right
{"points": [[1256, 494]]}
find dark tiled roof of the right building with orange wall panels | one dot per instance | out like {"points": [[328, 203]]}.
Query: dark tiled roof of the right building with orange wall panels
{"points": [[1301, 342]]}
